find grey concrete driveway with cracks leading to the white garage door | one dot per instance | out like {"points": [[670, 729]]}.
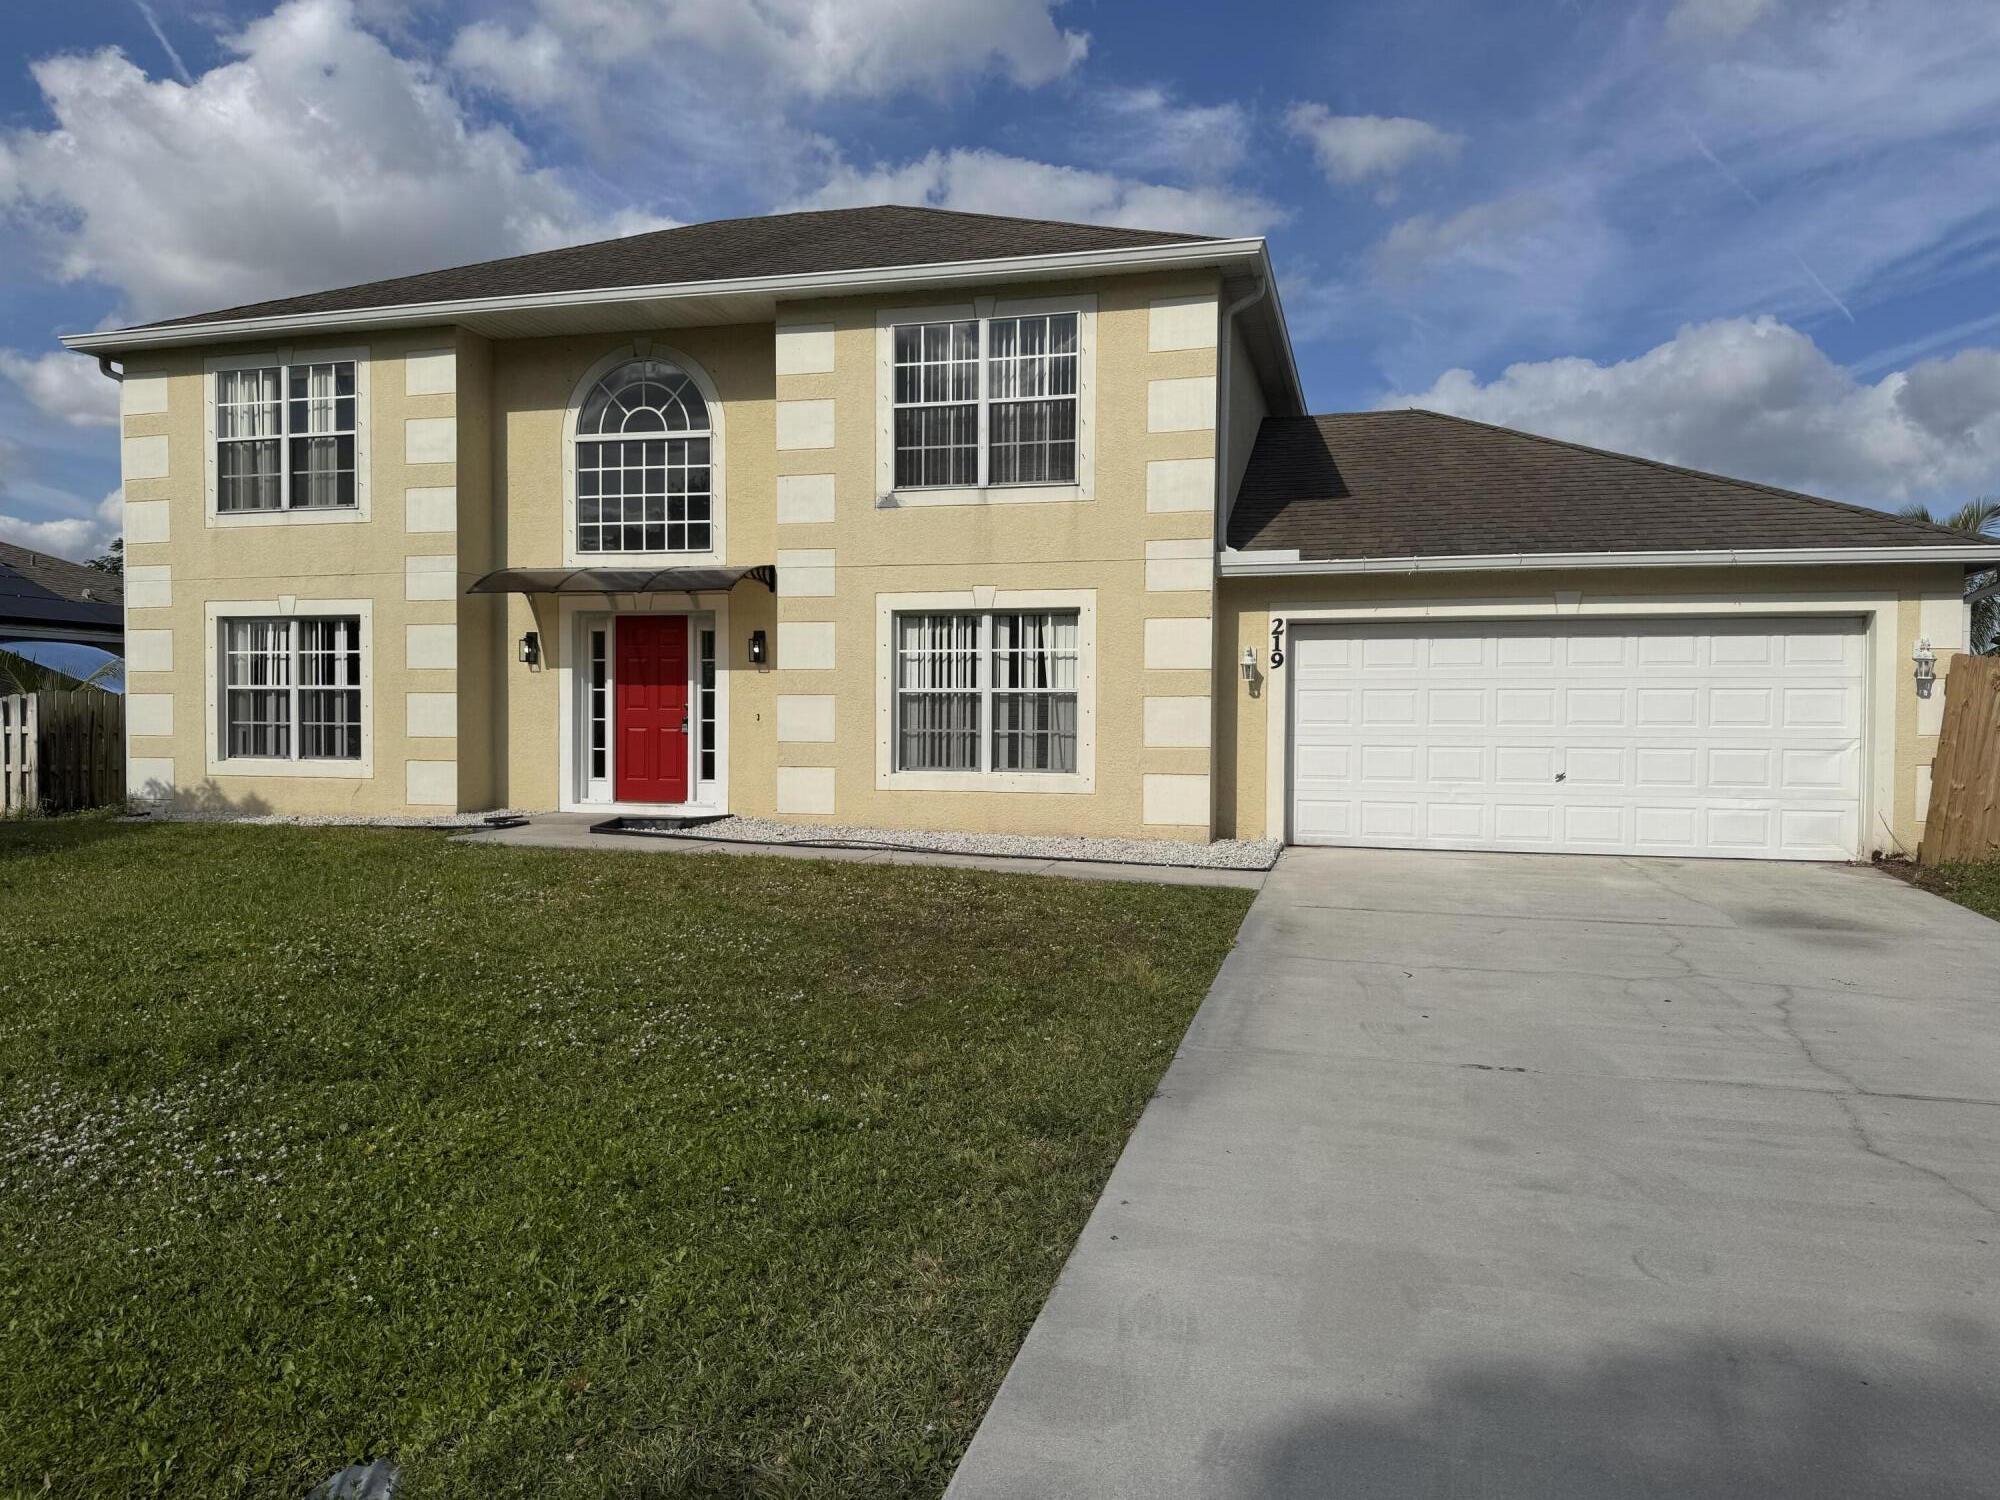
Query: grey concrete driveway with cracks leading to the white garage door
{"points": [[1547, 1177]]}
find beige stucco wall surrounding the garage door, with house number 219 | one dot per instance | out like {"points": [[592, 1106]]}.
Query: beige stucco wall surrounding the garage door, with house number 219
{"points": [[1903, 603]]}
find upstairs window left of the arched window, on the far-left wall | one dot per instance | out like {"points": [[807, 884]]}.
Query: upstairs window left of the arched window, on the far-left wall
{"points": [[287, 437]]}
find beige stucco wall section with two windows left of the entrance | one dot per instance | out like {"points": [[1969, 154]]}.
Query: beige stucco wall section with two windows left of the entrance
{"points": [[181, 561]]}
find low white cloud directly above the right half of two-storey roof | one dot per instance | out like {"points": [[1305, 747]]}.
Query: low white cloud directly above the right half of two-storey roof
{"points": [[989, 183]]}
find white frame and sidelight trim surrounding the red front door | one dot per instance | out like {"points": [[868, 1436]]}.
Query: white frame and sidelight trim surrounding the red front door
{"points": [[573, 765]]}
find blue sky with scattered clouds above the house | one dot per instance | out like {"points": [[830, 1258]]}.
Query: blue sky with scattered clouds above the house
{"points": [[1747, 235]]}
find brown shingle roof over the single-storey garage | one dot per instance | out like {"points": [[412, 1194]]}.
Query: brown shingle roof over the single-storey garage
{"points": [[1389, 485]]}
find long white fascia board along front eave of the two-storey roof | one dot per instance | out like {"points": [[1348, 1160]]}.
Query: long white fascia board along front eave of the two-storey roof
{"points": [[1131, 259]]}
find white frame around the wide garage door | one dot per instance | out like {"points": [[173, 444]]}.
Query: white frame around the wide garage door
{"points": [[1879, 699]]}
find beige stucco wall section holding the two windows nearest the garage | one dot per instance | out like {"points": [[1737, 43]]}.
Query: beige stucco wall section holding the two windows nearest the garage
{"points": [[1151, 413]]}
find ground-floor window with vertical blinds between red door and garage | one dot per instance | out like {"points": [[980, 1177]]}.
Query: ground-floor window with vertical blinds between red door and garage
{"points": [[987, 691]]}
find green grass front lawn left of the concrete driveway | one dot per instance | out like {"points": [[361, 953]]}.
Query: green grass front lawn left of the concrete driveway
{"points": [[545, 1175]]}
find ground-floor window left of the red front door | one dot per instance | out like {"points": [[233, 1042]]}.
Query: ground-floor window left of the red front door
{"points": [[293, 689]]}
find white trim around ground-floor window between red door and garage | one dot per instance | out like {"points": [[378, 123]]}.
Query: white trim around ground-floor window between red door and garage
{"points": [[981, 601]]}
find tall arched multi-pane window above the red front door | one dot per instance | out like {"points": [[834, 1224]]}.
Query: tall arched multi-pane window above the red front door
{"points": [[643, 481]]}
